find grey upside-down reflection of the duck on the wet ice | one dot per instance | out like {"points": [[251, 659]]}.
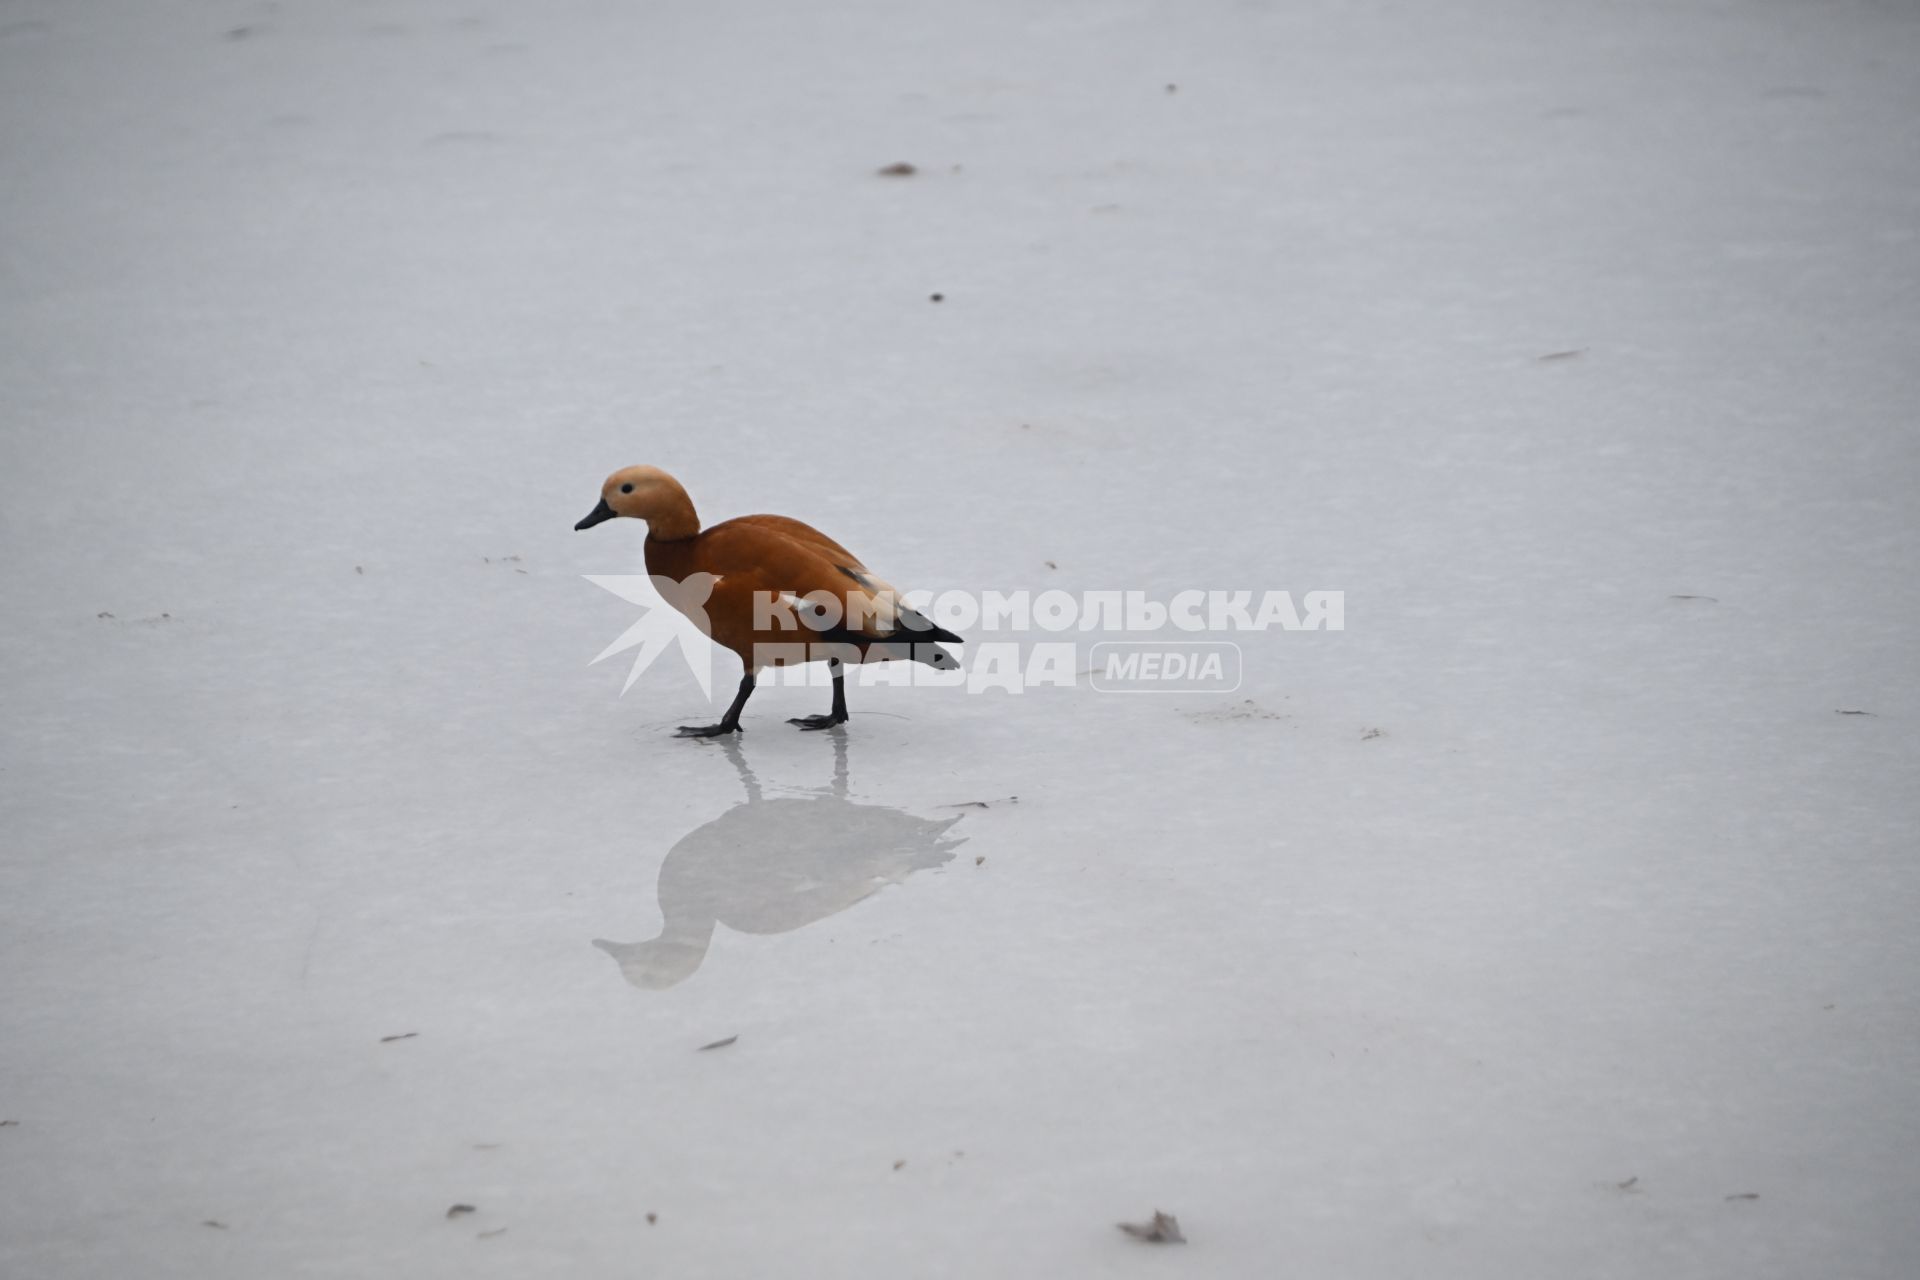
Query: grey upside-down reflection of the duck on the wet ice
{"points": [[769, 866]]}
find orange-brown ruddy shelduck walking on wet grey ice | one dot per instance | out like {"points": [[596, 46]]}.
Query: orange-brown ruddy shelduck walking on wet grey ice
{"points": [[780, 592]]}
